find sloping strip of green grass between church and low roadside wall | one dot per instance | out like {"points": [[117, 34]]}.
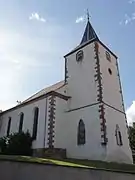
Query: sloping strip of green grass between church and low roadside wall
{"points": [[89, 164]]}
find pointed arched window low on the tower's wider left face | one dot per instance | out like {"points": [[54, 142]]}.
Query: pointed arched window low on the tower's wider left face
{"points": [[81, 133]]}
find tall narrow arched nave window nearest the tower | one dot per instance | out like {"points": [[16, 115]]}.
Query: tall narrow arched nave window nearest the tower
{"points": [[35, 123]]}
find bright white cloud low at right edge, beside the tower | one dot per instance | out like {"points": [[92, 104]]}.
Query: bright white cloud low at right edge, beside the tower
{"points": [[130, 112]]}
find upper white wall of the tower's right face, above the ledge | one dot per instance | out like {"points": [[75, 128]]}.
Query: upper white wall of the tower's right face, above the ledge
{"points": [[111, 85]]}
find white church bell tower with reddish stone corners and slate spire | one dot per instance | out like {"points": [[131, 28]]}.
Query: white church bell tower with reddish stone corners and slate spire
{"points": [[93, 83]]}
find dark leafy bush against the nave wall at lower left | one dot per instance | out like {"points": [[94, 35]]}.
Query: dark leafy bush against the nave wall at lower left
{"points": [[16, 144]]}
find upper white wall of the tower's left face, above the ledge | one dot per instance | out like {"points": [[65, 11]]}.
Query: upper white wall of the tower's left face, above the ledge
{"points": [[81, 84]]}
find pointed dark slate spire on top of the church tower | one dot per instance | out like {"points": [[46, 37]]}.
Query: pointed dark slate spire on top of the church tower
{"points": [[89, 33]]}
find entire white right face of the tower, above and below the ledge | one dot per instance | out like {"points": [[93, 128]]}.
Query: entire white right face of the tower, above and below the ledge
{"points": [[113, 97]]}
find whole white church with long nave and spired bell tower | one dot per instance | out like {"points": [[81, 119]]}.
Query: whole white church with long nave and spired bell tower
{"points": [[82, 115]]}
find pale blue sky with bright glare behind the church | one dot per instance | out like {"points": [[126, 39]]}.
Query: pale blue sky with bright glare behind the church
{"points": [[36, 34]]}
